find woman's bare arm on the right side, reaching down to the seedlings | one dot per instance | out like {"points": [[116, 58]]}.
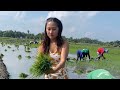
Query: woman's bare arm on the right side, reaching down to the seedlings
{"points": [[64, 55]]}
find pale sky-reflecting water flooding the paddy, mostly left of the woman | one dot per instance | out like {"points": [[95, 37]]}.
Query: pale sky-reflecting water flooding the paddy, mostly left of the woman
{"points": [[16, 66]]}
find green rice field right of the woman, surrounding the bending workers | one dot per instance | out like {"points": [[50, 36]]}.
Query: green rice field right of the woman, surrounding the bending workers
{"points": [[111, 63]]}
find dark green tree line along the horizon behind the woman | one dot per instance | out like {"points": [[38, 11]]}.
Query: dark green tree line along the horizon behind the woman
{"points": [[39, 36]]}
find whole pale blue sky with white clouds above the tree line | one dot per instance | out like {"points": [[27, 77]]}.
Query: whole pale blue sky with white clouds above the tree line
{"points": [[101, 25]]}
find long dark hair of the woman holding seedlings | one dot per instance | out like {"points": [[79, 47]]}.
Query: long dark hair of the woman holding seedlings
{"points": [[46, 40]]}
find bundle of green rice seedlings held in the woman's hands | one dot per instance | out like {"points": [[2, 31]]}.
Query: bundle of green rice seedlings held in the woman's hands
{"points": [[41, 65]]}
